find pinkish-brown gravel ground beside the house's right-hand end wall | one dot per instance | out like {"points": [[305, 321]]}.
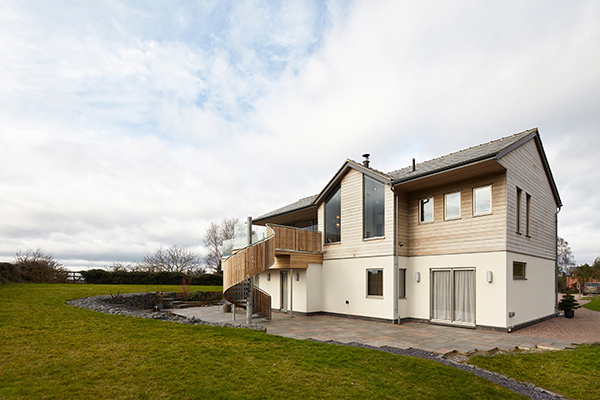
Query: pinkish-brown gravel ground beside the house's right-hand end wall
{"points": [[583, 328]]}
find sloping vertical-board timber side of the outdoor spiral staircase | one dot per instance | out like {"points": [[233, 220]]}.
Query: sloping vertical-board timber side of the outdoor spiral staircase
{"points": [[248, 262]]}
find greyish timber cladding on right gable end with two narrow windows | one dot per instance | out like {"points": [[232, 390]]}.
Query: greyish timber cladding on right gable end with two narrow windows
{"points": [[526, 172]]}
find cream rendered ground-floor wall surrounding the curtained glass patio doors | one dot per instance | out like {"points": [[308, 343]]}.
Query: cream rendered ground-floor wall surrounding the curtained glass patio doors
{"points": [[490, 298]]}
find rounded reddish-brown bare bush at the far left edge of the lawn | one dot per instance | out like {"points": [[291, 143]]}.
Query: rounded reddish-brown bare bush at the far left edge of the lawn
{"points": [[37, 266]]}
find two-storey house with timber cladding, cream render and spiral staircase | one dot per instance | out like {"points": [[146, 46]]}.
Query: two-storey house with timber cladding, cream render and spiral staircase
{"points": [[467, 239]]}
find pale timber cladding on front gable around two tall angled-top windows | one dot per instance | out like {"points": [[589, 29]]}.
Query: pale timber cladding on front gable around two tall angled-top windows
{"points": [[352, 243]]}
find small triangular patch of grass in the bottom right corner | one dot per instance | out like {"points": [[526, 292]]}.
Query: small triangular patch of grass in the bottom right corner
{"points": [[573, 373]]}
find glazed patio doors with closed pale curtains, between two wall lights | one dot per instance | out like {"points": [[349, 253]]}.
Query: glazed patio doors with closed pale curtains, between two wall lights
{"points": [[453, 296]]}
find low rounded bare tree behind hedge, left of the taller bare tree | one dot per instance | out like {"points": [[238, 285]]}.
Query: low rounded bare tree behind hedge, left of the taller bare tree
{"points": [[173, 259]]}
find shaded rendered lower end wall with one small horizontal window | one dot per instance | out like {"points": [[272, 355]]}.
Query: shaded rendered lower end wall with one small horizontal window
{"points": [[534, 297]]}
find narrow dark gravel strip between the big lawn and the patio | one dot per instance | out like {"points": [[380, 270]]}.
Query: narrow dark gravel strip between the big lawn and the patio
{"points": [[526, 389]]}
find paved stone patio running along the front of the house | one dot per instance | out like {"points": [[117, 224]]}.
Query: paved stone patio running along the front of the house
{"points": [[433, 338]]}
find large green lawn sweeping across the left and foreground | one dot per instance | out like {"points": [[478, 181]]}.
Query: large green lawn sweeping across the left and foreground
{"points": [[51, 350]]}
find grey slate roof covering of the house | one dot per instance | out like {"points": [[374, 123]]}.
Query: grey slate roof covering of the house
{"points": [[452, 160]]}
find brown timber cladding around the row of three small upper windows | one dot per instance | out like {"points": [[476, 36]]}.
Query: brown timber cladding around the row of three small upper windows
{"points": [[469, 233]]}
